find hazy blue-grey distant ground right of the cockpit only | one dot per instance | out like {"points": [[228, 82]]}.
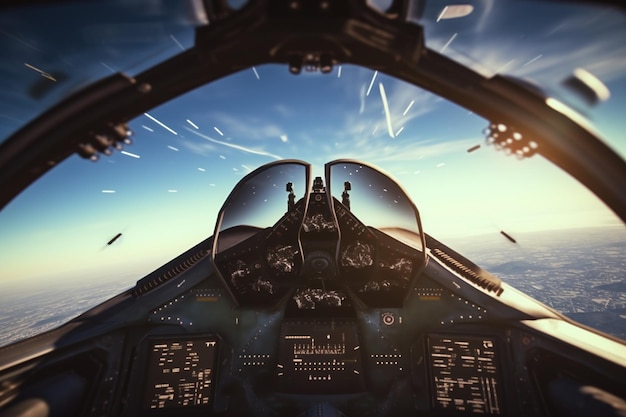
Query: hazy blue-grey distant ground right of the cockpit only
{"points": [[580, 273]]}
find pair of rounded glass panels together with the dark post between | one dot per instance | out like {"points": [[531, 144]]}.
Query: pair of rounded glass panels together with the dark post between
{"points": [[356, 231]]}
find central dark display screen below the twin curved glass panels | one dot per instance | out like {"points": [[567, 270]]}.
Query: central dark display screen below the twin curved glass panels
{"points": [[319, 357]]}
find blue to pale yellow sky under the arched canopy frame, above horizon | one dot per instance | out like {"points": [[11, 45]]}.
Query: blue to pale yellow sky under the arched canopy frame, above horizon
{"points": [[164, 192]]}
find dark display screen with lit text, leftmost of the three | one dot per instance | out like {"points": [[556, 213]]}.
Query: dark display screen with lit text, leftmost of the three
{"points": [[180, 373]]}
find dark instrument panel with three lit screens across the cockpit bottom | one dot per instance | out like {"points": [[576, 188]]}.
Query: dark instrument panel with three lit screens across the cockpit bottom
{"points": [[290, 356]]}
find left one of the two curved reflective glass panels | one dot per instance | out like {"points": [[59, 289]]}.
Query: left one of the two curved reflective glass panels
{"points": [[256, 243]]}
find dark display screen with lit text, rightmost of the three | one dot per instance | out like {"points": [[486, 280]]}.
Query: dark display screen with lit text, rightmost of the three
{"points": [[464, 374]]}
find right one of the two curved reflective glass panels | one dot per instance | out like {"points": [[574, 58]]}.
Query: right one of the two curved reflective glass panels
{"points": [[381, 244]]}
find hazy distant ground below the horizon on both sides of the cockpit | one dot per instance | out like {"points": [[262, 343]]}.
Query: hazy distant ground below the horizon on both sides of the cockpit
{"points": [[581, 273]]}
